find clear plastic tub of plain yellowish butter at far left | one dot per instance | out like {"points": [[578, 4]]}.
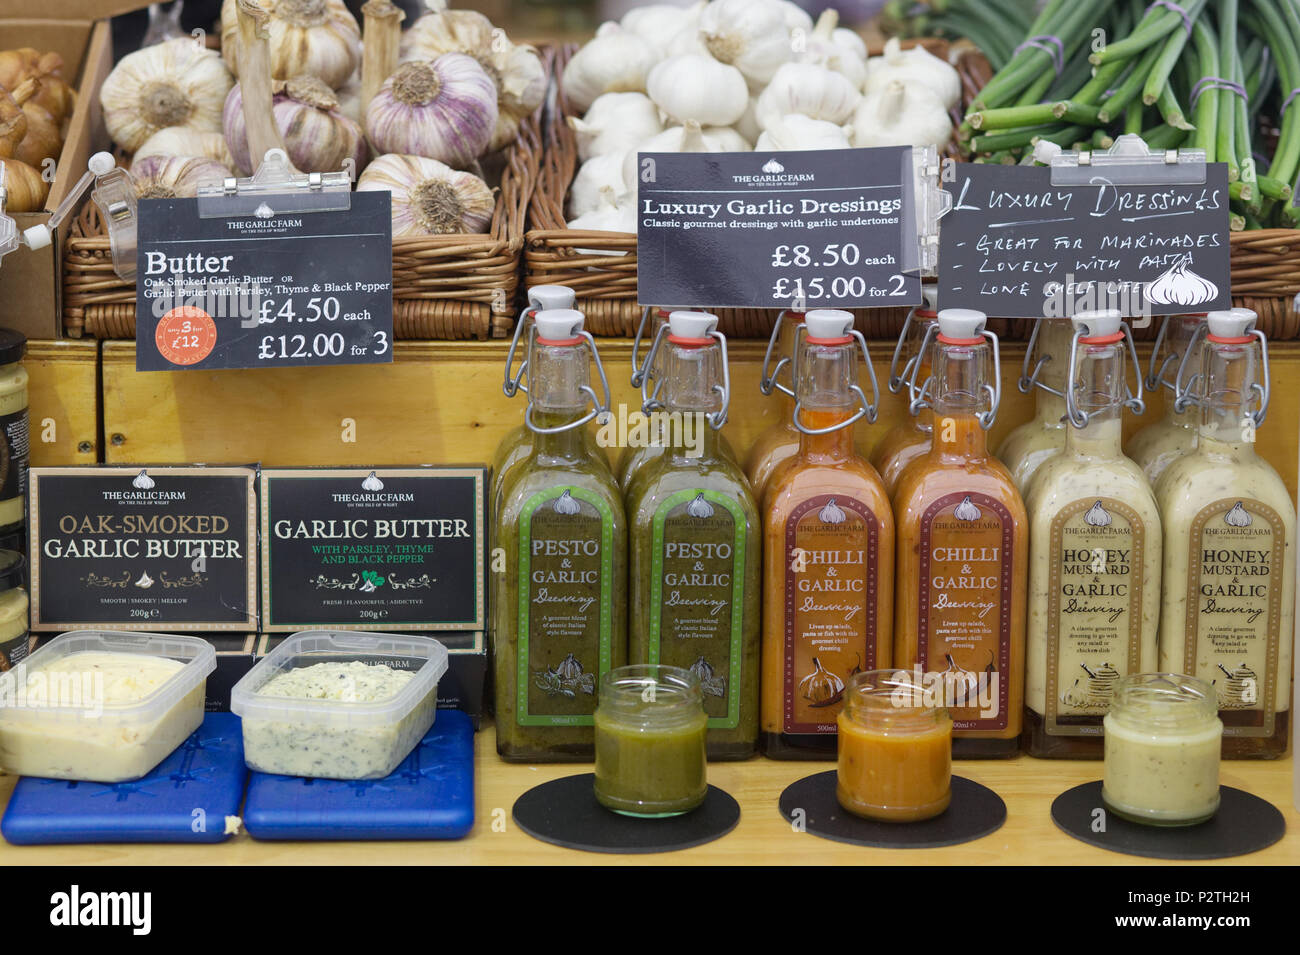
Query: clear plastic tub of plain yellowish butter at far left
{"points": [[102, 706]]}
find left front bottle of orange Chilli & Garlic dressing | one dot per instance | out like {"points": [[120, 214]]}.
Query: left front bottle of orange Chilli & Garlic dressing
{"points": [[829, 550]]}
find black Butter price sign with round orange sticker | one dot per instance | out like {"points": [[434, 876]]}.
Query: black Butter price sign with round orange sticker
{"points": [[278, 292]]}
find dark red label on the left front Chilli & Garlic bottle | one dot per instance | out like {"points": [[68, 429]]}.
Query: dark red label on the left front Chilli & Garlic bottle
{"points": [[831, 576]]}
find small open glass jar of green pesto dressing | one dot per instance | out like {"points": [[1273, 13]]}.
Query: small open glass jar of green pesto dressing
{"points": [[651, 741]]}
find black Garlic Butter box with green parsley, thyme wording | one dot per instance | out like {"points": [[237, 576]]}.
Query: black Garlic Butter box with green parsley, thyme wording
{"points": [[385, 549]]}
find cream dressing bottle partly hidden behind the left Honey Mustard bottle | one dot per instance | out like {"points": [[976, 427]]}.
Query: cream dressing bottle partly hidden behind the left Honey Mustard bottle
{"points": [[1047, 359]]}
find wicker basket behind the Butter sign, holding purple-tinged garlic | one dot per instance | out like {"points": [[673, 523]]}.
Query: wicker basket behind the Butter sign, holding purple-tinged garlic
{"points": [[444, 286]]}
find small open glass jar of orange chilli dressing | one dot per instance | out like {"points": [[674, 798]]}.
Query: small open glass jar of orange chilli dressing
{"points": [[896, 752]]}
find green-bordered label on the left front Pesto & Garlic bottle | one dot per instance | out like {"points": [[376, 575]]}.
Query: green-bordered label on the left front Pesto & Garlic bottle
{"points": [[566, 549]]}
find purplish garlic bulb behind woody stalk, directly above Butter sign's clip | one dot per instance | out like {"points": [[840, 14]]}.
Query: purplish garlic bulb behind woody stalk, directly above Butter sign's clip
{"points": [[318, 137]]}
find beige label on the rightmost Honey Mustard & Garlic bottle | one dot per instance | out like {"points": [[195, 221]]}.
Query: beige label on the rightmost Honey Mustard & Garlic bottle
{"points": [[1234, 610]]}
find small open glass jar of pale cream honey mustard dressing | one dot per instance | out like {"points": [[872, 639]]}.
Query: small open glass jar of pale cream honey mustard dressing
{"points": [[1163, 741]]}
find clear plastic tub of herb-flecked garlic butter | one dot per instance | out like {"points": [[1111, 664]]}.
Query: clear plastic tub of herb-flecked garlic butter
{"points": [[339, 705]]}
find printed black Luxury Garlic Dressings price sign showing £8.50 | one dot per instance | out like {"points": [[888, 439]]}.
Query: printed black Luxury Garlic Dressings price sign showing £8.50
{"points": [[816, 229]]}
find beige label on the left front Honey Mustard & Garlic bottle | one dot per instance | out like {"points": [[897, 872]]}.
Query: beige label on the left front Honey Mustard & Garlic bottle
{"points": [[1095, 593]]}
